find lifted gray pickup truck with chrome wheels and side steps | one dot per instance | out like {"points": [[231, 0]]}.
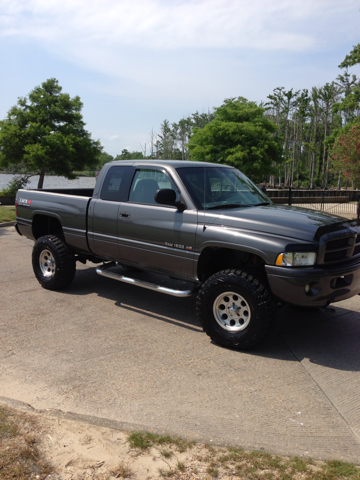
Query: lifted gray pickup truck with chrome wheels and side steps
{"points": [[202, 223]]}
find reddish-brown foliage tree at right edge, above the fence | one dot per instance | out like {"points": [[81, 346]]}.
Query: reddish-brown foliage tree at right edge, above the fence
{"points": [[346, 152]]}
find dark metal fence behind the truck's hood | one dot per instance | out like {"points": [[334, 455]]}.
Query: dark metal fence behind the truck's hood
{"points": [[343, 203]]}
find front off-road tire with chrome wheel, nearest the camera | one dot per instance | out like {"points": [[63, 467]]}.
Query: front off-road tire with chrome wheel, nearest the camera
{"points": [[235, 309]]}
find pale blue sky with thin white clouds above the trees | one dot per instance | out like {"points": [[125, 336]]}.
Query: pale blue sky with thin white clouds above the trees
{"points": [[135, 63]]}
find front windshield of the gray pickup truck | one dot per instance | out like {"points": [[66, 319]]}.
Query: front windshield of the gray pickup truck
{"points": [[220, 187]]}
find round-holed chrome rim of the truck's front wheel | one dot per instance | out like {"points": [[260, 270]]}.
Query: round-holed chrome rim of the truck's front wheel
{"points": [[232, 312]]}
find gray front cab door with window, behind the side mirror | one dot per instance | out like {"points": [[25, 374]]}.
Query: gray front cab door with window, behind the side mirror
{"points": [[156, 236]]}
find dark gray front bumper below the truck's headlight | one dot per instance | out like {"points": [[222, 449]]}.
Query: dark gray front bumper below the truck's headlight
{"points": [[326, 285]]}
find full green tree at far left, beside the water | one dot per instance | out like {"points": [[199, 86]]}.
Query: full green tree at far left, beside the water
{"points": [[45, 131]]}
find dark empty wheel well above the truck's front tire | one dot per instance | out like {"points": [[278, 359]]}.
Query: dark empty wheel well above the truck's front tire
{"points": [[213, 260]]}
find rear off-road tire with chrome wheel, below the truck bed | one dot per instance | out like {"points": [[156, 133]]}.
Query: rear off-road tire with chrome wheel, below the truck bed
{"points": [[53, 263]]}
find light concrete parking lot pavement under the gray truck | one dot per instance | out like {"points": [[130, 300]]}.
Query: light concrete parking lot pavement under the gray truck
{"points": [[126, 354]]}
